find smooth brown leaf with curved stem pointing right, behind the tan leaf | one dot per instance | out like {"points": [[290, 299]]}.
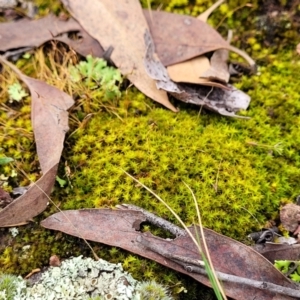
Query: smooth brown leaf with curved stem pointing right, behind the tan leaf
{"points": [[179, 37]]}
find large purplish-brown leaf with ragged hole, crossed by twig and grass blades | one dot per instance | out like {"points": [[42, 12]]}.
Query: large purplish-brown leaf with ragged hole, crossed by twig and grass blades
{"points": [[120, 228]]}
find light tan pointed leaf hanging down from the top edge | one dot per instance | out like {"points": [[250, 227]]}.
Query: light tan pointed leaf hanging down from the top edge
{"points": [[121, 25]]}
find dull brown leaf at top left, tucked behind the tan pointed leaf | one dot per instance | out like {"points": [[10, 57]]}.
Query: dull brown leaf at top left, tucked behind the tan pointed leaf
{"points": [[33, 33]]}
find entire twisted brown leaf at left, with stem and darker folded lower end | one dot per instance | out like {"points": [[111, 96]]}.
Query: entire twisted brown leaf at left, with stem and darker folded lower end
{"points": [[50, 123]]}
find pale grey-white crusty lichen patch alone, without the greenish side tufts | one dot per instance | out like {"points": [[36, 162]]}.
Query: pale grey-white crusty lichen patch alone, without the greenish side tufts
{"points": [[80, 278]]}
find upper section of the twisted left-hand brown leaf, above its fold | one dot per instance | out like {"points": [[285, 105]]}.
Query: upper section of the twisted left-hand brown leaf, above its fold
{"points": [[49, 119]]}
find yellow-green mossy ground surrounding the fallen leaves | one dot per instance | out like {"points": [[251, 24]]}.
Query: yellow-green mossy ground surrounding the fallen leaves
{"points": [[232, 165]]}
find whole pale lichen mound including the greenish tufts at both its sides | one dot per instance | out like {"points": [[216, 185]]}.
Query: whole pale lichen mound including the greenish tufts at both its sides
{"points": [[83, 279]]}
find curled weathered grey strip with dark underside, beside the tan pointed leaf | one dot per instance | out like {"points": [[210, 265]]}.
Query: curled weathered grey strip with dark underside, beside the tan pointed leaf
{"points": [[225, 102]]}
